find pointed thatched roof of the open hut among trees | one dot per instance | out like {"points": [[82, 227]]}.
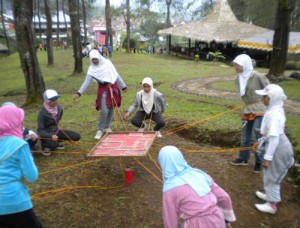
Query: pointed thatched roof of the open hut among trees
{"points": [[220, 25]]}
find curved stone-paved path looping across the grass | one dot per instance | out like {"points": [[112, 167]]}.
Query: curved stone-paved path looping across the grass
{"points": [[203, 87]]}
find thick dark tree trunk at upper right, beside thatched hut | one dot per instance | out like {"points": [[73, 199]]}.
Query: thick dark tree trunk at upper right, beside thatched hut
{"points": [[281, 38]]}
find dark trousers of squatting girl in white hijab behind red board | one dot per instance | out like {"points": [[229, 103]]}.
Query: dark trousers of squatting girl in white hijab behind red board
{"points": [[140, 116]]}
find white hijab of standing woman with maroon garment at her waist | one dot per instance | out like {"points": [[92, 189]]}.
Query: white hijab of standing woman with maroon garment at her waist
{"points": [[104, 70]]}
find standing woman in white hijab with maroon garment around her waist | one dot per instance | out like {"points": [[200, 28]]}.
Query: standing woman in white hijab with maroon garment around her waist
{"points": [[109, 96]]}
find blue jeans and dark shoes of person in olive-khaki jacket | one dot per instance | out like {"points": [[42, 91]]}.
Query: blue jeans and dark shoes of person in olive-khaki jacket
{"points": [[250, 135]]}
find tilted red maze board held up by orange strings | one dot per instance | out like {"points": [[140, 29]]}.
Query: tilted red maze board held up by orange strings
{"points": [[123, 144]]}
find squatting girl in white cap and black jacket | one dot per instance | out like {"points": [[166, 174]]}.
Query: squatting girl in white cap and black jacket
{"points": [[48, 129]]}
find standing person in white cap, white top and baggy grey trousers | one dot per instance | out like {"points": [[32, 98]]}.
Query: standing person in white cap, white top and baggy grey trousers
{"points": [[278, 152]]}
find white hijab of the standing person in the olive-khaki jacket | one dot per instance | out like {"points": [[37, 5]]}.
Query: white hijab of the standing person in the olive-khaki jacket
{"points": [[246, 62]]}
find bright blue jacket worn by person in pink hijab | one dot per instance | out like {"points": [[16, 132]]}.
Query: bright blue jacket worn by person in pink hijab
{"points": [[16, 162]]}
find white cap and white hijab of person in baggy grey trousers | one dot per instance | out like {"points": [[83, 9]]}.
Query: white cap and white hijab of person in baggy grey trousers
{"points": [[274, 119]]}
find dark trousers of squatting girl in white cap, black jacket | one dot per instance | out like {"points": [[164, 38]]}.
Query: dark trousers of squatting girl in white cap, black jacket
{"points": [[62, 135]]}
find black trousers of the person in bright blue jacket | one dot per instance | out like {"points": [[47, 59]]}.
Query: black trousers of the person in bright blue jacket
{"points": [[20, 220]]}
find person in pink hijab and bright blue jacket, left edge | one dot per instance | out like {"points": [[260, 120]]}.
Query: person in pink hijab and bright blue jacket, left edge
{"points": [[16, 163]]}
